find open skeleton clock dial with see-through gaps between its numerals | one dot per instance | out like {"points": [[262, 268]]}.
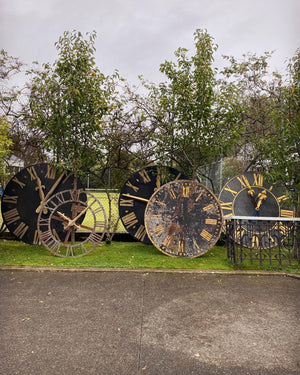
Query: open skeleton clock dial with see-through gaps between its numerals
{"points": [[68, 212]]}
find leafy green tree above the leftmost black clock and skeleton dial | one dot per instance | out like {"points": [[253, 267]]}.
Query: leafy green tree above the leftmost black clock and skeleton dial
{"points": [[68, 100]]}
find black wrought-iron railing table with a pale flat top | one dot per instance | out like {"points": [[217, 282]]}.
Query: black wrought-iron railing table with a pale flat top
{"points": [[263, 240]]}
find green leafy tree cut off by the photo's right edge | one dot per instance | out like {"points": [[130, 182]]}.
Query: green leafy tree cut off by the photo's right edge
{"points": [[282, 147]]}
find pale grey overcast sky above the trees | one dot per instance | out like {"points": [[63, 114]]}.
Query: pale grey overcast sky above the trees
{"points": [[136, 36]]}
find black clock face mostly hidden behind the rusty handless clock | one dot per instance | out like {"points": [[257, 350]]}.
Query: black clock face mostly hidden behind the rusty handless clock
{"points": [[134, 223]]}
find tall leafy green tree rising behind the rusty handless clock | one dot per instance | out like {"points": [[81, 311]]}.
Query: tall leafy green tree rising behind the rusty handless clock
{"points": [[193, 113]]}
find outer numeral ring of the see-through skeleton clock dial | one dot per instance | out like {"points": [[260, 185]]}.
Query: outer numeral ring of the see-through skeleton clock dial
{"points": [[46, 222]]}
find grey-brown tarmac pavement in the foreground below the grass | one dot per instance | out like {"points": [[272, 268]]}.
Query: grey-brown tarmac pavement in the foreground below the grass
{"points": [[133, 323]]}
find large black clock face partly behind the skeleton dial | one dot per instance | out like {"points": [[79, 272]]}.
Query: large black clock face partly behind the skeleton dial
{"points": [[25, 194]]}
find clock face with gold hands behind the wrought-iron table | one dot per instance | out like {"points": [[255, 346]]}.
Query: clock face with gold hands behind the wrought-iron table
{"points": [[249, 194]]}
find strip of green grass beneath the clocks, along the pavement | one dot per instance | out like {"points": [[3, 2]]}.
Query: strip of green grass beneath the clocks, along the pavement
{"points": [[123, 255]]}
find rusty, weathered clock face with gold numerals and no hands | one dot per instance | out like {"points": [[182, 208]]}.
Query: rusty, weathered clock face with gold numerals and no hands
{"points": [[183, 218]]}
